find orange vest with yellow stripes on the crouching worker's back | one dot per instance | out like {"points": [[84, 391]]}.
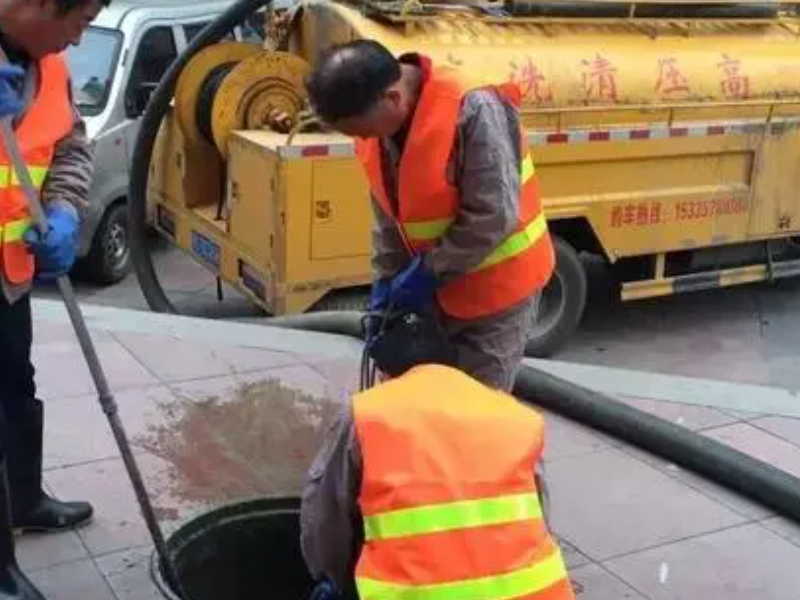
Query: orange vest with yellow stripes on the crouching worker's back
{"points": [[448, 494]]}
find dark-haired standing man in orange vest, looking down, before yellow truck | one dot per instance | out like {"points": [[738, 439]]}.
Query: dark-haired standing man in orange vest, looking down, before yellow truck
{"points": [[459, 229]]}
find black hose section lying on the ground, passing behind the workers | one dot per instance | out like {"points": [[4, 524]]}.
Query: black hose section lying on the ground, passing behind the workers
{"points": [[718, 462]]}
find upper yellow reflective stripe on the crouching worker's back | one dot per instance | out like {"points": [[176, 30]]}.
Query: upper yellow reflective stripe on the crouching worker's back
{"points": [[447, 516]]}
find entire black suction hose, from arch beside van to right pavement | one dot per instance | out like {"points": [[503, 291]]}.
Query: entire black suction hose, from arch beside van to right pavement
{"points": [[725, 465]]}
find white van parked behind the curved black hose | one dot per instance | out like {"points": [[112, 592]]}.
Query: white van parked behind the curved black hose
{"points": [[115, 68]]}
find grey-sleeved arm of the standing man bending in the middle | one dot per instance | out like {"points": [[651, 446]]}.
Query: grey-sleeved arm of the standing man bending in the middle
{"points": [[486, 173]]}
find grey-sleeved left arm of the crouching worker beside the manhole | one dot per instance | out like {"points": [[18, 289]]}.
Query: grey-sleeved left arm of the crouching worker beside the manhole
{"points": [[331, 525]]}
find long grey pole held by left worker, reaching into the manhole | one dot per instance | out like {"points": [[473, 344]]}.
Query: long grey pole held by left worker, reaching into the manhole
{"points": [[104, 395]]}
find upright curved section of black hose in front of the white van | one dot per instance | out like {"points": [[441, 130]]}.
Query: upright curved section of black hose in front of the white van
{"points": [[140, 166]]}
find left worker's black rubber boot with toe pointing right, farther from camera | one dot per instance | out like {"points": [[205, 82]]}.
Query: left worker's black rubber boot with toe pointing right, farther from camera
{"points": [[31, 508]]}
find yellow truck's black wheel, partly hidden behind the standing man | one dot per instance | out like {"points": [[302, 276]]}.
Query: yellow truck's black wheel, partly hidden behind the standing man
{"points": [[561, 304]]}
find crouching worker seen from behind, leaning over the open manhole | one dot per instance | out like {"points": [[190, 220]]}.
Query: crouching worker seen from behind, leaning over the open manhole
{"points": [[425, 488]]}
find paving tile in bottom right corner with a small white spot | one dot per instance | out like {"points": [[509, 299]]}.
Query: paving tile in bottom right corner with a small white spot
{"points": [[741, 563]]}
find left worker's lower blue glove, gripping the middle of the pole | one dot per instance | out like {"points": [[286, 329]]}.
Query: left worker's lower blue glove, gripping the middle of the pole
{"points": [[54, 250]]}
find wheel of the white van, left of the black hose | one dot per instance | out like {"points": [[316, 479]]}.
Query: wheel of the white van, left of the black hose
{"points": [[109, 258]]}
